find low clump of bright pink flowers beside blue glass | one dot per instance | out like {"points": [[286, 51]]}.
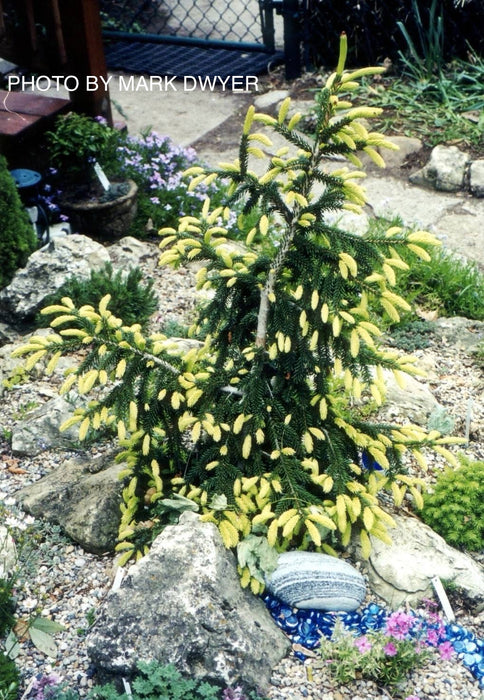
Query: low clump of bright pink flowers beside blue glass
{"points": [[387, 655]]}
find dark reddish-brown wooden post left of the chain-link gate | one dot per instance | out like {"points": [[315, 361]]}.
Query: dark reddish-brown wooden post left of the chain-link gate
{"points": [[81, 25]]}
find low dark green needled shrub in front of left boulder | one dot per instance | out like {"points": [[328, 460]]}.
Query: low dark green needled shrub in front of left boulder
{"points": [[132, 301]]}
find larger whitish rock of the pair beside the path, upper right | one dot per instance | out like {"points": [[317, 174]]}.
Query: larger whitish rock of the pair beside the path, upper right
{"points": [[445, 170]]}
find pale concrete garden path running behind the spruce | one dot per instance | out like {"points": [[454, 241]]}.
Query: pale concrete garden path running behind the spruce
{"points": [[209, 117]]}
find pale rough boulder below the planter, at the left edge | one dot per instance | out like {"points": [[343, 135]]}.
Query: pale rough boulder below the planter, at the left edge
{"points": [[46, 271]]}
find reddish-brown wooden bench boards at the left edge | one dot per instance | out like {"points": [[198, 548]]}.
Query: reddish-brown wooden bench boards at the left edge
{"points": [[24, 115]]}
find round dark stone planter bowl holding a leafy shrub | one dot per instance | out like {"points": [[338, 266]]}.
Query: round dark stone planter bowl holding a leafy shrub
{"points": [[103, 221]]}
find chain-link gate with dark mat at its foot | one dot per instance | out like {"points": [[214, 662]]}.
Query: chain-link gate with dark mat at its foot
{"points": [[145, 37]]}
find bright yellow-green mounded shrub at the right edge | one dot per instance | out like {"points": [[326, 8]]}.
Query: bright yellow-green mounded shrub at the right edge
{"points": [[454, 509]]}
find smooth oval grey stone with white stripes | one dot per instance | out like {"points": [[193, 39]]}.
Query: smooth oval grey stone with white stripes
{"points": [[308, 580]]}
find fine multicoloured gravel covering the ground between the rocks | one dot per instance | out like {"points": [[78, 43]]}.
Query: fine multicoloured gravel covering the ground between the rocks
{"points": [[64, 583]]}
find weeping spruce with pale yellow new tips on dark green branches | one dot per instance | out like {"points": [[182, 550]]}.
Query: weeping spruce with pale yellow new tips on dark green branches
{"points": [[259, 423]]}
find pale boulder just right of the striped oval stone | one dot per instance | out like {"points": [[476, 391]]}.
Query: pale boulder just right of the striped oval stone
{"points": [[403, 571]]}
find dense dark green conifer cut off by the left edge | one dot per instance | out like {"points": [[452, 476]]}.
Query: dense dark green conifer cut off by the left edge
{"points": [[17, 236]]}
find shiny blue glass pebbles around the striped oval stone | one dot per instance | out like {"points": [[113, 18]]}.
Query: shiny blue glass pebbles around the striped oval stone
{"points": [[305, 627]]}
